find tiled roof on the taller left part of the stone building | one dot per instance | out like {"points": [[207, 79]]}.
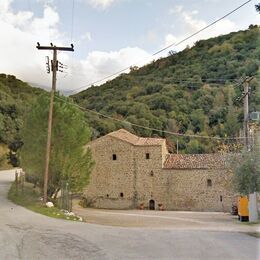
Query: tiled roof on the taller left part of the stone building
{"points": [[124, 135]]}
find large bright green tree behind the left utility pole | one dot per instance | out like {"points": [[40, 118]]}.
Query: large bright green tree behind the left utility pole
{"points": [[69, 161]]}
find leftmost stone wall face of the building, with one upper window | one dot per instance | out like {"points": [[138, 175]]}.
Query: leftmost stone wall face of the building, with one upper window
{"points": [[111, 181]]}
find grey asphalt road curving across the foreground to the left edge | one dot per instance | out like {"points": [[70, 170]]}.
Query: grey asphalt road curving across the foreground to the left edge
{"points": [[27, 235]]}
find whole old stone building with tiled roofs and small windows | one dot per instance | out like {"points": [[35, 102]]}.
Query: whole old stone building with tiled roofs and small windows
{"points": [[137, 172]]}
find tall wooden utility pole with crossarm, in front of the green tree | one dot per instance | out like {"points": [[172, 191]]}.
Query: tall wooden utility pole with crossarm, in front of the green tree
{"points": [[54, 68]]}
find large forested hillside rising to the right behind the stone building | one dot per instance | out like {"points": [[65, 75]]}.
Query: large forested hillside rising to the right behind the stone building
{"points": [[191, 92]]}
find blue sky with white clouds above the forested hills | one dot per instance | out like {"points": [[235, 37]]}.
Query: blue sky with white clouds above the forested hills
{"points": [[108, 35]]}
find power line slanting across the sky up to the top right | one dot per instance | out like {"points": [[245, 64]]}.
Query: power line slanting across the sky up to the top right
{"points": [[163, 49]]}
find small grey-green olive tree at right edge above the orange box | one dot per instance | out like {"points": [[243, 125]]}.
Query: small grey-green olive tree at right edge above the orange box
{"points": [[247, 173]]}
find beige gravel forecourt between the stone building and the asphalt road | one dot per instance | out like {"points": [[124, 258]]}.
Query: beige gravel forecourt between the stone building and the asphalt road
{"points": [[185, 220]]}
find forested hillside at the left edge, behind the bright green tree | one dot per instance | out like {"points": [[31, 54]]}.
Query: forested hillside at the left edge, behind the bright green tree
{"points": [[15, 97]]}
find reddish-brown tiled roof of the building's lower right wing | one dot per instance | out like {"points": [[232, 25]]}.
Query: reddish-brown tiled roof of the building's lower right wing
{"points": [[195, 161]]}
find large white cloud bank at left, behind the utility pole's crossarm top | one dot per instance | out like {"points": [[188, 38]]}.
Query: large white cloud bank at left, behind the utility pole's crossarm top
{"points": [[20, 31]]}
